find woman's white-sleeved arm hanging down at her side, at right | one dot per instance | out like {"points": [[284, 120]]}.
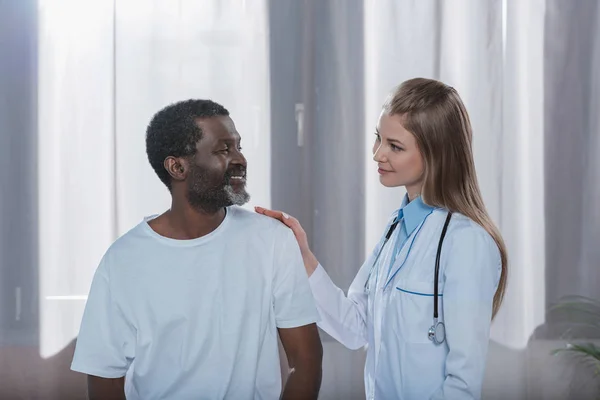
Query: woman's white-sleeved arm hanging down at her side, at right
{"points": [[471, 273]]}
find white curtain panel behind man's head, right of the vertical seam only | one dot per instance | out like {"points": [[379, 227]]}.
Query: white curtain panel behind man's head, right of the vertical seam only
{"points": [[168, 51]]}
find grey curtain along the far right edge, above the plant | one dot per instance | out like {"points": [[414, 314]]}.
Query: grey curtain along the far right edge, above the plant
{"points": [[572, 84]]}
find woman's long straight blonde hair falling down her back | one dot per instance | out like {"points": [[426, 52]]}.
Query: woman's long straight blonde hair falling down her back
{"points": [[434, 113]]}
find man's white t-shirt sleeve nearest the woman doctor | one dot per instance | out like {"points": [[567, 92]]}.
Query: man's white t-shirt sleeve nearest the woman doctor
{"points": [[293, 301]]}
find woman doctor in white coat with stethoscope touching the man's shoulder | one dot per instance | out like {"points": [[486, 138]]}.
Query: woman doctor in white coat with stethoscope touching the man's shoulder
{"points": [[415, 349]]}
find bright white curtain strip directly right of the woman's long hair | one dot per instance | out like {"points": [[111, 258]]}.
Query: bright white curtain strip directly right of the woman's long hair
{"points": [[522, 149]]}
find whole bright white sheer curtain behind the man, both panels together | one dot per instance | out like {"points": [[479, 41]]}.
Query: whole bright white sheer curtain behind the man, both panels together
{"points": [[105, 69]]}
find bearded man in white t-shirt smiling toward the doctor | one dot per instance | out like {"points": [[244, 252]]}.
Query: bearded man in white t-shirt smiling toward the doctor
{"points": [[188, 304]]}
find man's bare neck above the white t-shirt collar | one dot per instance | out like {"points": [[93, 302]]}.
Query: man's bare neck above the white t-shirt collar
{"points": [[184, 222]]}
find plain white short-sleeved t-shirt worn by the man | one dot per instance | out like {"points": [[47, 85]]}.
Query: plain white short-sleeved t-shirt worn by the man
{"points": [[196, 319]]}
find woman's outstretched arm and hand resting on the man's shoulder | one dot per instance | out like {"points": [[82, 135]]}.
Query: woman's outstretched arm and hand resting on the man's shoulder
{"points": [[344, 318]]}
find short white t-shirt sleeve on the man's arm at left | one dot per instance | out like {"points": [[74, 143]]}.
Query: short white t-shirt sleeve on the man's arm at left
{"points": [[106, 343]]}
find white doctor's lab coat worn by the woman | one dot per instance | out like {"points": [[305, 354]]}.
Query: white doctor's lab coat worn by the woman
{"points": [[394, 318]]}
